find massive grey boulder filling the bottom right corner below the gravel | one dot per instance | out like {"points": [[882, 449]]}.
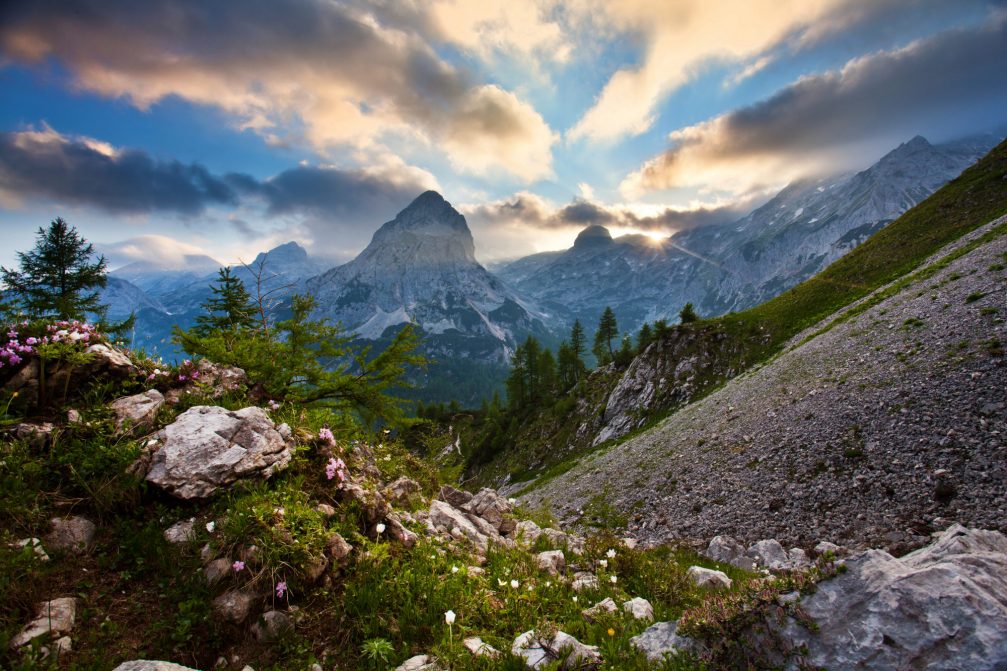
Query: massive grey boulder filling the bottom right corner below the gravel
{"points": [[941, 608]]}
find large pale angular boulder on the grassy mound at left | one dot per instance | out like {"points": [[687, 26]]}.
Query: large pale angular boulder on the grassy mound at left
{"points": [[208, 448]]}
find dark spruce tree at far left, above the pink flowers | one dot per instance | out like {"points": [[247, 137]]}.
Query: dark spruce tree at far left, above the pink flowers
{"points": [[58, 279]]}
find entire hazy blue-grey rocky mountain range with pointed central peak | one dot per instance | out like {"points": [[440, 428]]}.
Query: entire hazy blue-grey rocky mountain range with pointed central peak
{"points": [[421, 269]]}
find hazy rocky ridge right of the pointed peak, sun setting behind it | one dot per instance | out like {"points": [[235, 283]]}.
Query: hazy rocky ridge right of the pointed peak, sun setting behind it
{"points": [[734, 266]]}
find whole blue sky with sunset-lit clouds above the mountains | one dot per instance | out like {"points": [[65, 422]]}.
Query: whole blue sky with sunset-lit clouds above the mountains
{"points": [[164, 128]]}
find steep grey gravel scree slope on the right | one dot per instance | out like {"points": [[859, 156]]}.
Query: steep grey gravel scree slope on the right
{"points": [[877, 433]]}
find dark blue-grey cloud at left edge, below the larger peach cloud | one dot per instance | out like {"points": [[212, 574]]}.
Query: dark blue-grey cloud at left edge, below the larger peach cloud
{"points": [[83, 171]]}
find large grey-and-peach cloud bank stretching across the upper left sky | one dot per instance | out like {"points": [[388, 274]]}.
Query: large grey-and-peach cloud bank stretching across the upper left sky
{"points": [[332, 73]]}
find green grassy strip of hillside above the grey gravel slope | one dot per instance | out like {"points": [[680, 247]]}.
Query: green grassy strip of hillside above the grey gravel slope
{"points": [[978, 196]]}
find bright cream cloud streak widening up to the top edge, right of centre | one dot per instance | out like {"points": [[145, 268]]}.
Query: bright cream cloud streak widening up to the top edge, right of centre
{"points": [[679, 39]]}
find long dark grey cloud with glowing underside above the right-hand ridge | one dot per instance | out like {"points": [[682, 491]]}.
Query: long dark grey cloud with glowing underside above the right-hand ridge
{"points": [[948, 85]]}
